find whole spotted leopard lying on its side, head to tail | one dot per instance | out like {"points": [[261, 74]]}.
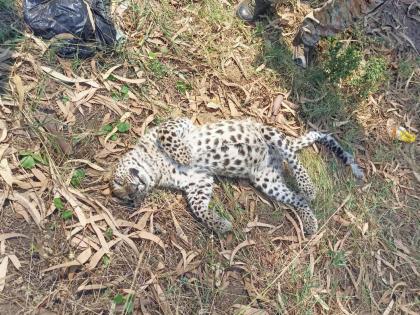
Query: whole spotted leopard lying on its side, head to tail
{"points": [[179, 155]]}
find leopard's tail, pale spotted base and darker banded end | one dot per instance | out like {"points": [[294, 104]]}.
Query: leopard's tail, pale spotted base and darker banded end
{"points": [[332, 144]]}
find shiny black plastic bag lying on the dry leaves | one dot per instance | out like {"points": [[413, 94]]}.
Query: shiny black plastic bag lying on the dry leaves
{"points": [[48, 18]]}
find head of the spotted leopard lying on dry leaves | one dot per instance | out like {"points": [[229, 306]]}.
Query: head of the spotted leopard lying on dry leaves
{"points": [[129, 182]]}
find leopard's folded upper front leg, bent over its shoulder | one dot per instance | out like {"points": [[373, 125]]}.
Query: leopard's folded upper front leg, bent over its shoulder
{"points": [[171, 136]]}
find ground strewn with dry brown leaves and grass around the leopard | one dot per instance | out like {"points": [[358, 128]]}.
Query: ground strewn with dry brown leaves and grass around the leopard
{"points": [[67, 248]]}
